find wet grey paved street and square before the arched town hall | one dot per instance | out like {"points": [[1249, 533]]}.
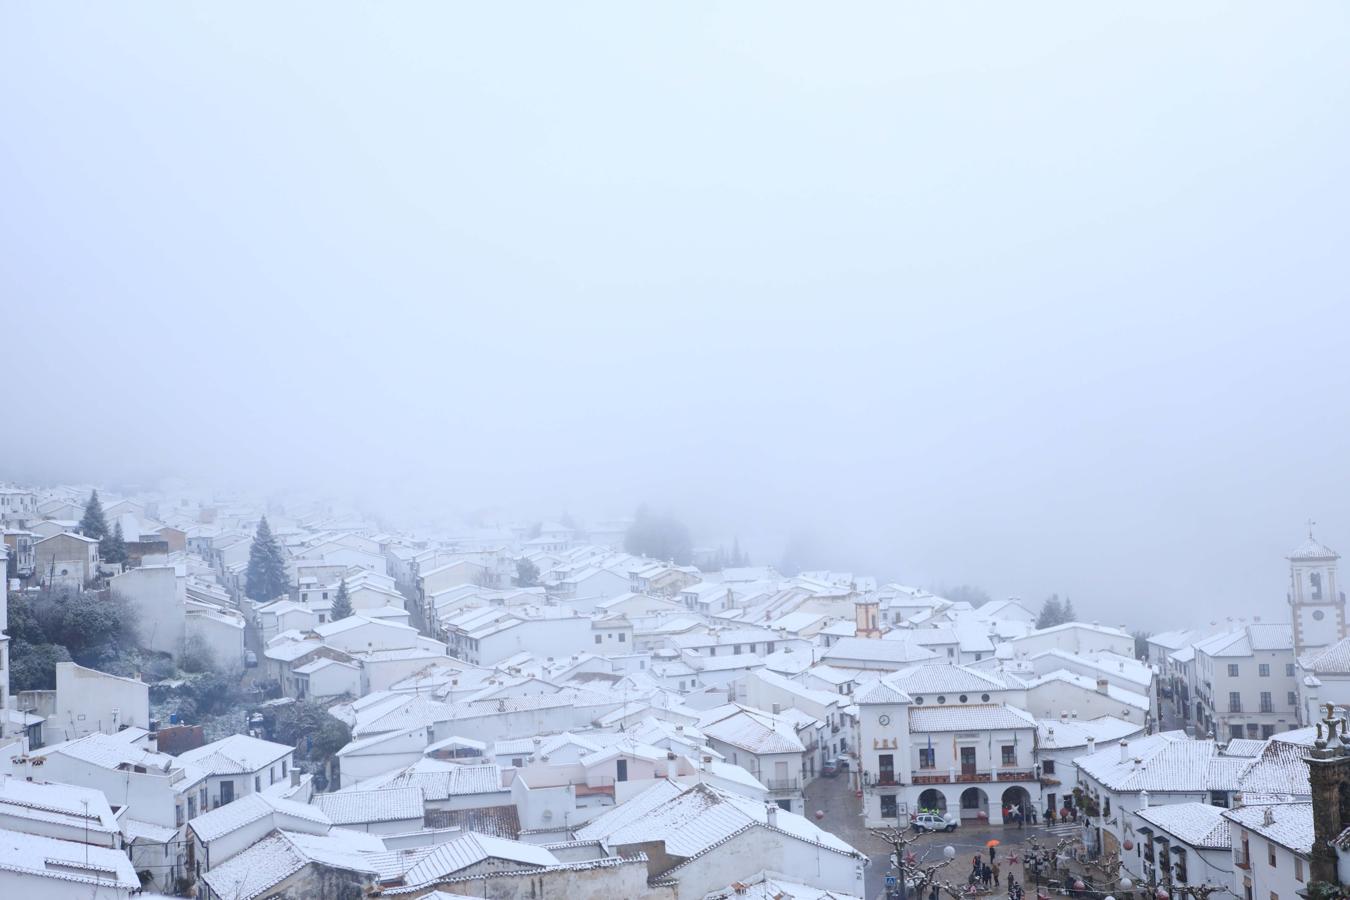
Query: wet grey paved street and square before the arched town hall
{"points": [[843, 818]]}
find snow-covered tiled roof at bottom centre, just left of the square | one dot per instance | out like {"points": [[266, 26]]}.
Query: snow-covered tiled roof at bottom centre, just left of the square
{"points": [[693, 821]]}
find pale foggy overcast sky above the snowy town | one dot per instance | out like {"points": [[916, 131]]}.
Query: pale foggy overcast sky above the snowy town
{"points": [[1040, 298]]}
